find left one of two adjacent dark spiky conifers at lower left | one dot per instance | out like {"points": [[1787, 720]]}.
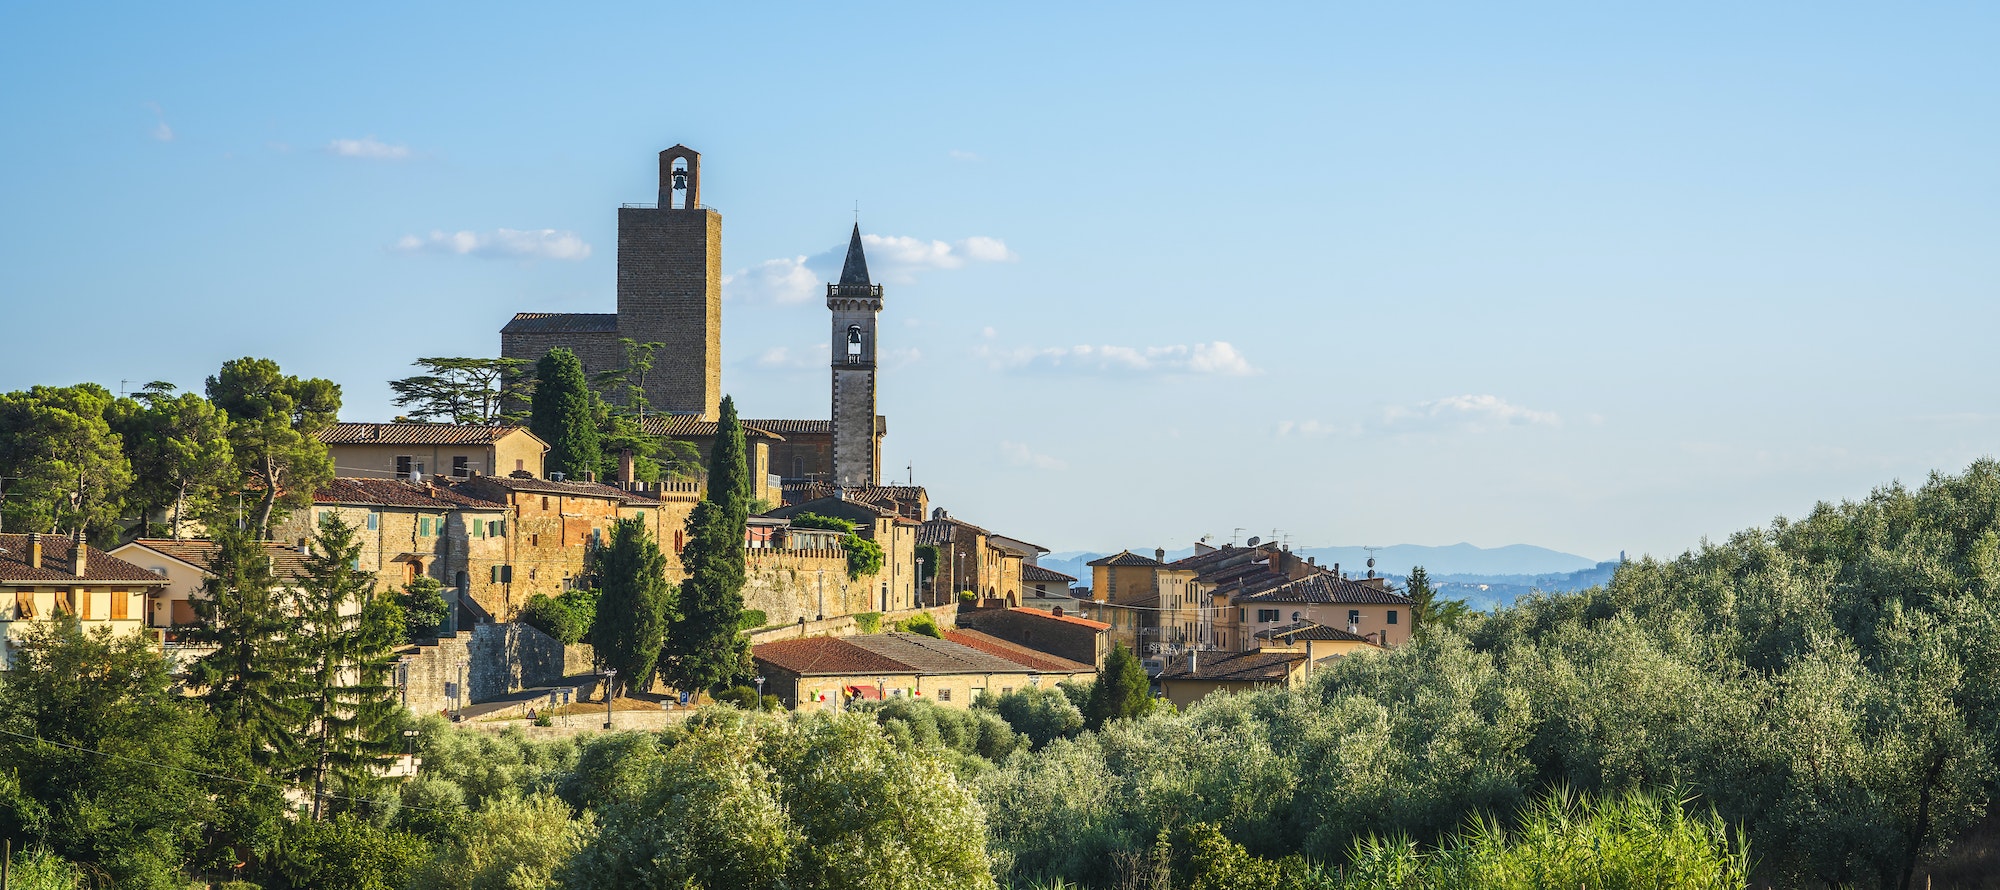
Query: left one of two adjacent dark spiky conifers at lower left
{"points": [[251, 681]]}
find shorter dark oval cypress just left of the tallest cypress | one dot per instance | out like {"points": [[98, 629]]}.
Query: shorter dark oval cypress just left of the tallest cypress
{"points": [[635, 605]]}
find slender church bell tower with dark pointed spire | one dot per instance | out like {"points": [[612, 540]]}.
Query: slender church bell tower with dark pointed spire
{"points": [[855, 305]]}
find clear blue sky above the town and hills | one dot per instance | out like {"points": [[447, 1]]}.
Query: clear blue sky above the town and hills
{"points": [[1583, 277]]}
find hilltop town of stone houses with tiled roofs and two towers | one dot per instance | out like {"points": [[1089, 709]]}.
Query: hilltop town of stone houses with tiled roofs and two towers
{"points": [[483, 517]]}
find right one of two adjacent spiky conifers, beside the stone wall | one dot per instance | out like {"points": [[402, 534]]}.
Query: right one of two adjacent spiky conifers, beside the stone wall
{"points": [[347, 637]]}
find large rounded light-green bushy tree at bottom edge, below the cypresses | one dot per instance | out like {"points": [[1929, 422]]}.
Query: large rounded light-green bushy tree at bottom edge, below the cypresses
{"points": [[757, 803]]}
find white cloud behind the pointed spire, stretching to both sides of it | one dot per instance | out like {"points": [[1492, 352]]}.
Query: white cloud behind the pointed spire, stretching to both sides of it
{"points": [[793, 281]]}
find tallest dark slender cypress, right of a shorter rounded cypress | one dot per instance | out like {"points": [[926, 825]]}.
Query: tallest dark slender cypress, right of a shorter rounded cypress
{"points": [[705, 647]]}
